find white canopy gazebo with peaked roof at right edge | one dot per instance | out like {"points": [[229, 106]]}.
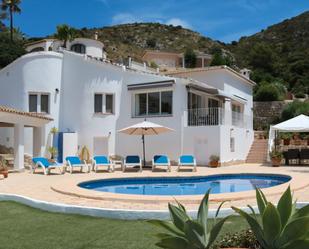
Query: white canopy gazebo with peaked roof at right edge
{"points": [[296, 124]]}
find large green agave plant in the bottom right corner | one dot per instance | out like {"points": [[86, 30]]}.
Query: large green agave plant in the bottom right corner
{"points": [[281, 227]]}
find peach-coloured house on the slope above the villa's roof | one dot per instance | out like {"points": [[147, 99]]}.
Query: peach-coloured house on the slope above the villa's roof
{"points": [[169, 60]]}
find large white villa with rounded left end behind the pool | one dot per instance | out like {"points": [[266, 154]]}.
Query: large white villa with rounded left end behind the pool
{"points": [[90, 99]]}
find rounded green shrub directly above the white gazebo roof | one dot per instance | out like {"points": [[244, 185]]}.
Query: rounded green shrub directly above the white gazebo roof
{"points": [[294, 109]]}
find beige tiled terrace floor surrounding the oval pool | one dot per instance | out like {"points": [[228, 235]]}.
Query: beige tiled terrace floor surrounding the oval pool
{"points": [[63, 188]]}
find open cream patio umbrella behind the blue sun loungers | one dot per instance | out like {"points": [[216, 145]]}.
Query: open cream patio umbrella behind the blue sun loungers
{"points": [[145, 128]]}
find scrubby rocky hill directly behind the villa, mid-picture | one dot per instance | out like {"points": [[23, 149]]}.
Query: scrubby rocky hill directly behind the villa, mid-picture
{"points": [[126, 40]]}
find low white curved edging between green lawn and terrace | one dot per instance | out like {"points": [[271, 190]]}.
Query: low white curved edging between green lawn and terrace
{"points": [[123, 214]]}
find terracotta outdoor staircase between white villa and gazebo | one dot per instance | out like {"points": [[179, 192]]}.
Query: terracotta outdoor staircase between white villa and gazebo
{"points": [[258, 151]]}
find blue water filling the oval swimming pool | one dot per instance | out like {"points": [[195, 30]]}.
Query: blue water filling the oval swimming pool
{"points": [[227, 183]]}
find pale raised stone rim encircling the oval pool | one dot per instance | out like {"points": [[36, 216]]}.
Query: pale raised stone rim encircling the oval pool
{"points": [[72, 189]]}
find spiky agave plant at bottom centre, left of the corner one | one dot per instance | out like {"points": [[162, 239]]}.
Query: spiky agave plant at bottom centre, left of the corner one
{"points": [[183, 232]]}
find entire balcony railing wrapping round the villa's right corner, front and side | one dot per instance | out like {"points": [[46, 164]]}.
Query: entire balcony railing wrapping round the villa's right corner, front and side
{"points": [[217, 116]]}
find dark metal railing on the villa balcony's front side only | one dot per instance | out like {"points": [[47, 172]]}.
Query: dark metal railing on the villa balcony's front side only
{"points": [[205, 116]]}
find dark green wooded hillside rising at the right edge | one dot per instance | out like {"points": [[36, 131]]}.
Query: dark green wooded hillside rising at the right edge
{"points": [[279, 53]]}
